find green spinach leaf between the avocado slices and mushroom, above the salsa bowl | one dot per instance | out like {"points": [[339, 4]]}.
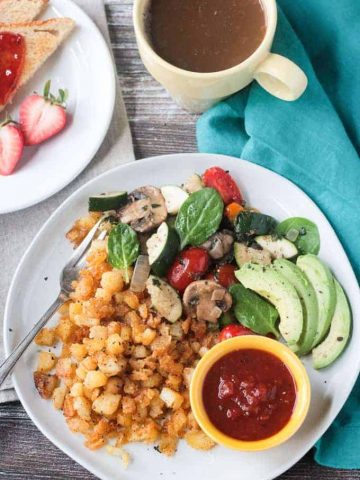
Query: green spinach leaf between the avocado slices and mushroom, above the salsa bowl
{"points": [[254, 312]]}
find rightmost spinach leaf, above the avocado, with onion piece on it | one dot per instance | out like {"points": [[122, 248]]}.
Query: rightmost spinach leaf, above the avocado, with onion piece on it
{"points": [[307, 239]]}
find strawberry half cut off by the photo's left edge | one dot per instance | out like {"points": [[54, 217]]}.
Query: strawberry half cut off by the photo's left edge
{"points": [[11, 146]]}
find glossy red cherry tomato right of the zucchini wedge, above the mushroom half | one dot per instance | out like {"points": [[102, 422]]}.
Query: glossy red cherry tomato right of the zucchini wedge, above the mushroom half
{"points": [[190, 265]]}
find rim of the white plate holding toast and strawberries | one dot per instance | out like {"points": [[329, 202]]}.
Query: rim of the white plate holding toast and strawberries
{"points": [[108, 114]]}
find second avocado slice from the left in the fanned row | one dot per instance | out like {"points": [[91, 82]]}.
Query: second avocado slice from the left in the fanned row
{"points": [[307, 296]]}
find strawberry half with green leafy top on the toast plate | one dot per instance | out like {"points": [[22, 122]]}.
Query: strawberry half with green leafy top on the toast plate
{"points": [[42, 117]]}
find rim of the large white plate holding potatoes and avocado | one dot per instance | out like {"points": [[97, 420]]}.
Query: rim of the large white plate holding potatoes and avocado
{"points": [[59, 443]]}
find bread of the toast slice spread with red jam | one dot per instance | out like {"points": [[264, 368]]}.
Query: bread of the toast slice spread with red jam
{"points": [[42, 39]]}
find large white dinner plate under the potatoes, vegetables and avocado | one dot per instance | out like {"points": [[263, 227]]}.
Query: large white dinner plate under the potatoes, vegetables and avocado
{"points": [[30, 294]]}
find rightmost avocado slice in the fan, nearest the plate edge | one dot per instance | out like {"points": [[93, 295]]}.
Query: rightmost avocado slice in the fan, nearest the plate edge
{"points": [[333, 345]]}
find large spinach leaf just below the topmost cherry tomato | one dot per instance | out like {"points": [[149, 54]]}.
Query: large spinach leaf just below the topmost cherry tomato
{"points": [[199, 217]]}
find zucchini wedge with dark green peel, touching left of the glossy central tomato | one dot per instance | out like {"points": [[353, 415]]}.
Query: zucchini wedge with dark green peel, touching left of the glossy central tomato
{"points": [[162, 248]]}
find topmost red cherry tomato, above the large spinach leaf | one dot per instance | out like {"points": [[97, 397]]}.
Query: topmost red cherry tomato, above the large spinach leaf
{"points": [[216, 177]]}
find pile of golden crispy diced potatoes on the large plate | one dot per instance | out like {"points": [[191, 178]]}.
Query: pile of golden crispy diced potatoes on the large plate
{"points": [[123, 373]]}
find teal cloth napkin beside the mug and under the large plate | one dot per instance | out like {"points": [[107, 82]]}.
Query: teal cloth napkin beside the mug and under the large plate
{"points": [[314, 142]]}
